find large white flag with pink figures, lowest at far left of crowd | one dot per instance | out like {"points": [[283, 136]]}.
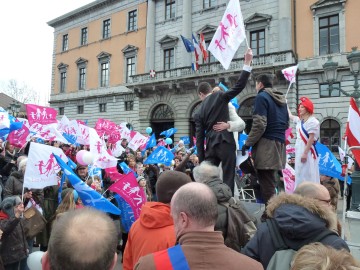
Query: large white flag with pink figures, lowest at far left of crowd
{"points": [[42, 168]]}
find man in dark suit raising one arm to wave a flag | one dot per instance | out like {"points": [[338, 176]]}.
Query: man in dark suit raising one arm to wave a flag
{"points": [[220, 146]]}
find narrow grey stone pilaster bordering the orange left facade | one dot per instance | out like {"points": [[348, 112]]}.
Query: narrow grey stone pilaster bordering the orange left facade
{"points": [[150, 37]]}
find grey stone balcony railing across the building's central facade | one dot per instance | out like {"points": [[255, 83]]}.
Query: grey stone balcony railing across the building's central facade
{"points": [[263, 61]]}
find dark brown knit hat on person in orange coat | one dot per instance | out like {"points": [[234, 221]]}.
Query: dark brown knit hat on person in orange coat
{"points": [[168, 183]]}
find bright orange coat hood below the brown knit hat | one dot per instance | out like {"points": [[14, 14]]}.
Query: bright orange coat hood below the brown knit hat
{"points": [[155, 215]]}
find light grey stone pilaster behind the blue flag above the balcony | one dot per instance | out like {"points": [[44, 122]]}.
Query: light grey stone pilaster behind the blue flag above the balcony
{"points": [[186, 32]]}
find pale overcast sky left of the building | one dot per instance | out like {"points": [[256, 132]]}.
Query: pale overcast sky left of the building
{"points": [[26, 42]]}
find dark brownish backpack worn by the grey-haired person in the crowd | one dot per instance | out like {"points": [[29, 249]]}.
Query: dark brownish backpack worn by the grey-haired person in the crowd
{"points": [[241, 227]]}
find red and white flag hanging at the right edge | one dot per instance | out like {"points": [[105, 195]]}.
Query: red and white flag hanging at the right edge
{"points": [[352, 133]]}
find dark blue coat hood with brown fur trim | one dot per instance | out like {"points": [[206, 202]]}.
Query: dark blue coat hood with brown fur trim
{"points": [[299, 217]]}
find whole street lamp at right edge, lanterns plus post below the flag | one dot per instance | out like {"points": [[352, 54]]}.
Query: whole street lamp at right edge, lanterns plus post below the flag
{"points": [[330, 69]]}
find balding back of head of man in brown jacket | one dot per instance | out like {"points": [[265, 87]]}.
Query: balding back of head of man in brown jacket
{"points": [[199, 203]]}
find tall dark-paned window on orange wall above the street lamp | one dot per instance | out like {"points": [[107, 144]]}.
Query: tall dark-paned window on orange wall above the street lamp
{"points": [[329, 35]]}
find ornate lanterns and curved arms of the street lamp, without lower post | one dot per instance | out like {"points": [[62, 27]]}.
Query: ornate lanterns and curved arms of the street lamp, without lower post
{"points": [[330, 70]]}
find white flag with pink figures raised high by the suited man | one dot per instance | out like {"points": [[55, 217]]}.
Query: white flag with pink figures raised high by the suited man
{"points": [[229, 34]]}
